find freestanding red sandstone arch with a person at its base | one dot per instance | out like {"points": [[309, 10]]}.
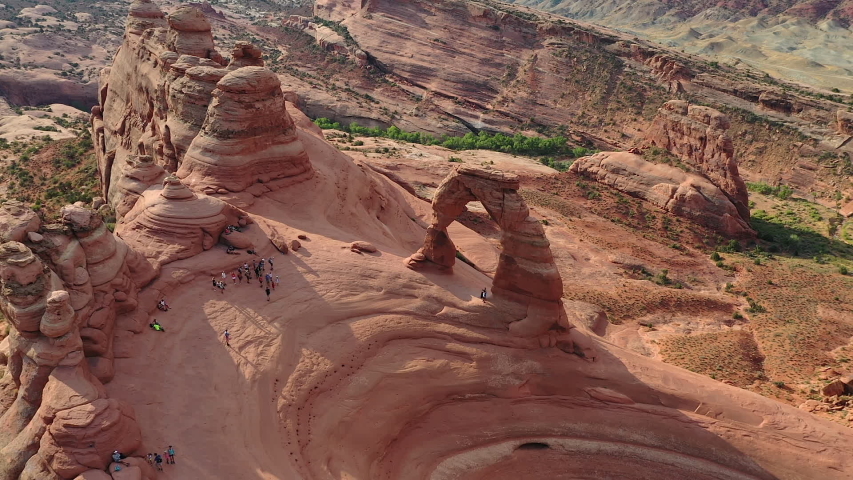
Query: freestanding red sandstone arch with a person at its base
{"points": [[526, 270]]}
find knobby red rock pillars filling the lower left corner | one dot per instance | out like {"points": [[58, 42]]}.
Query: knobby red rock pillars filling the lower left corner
{"points": [[55, 418]]}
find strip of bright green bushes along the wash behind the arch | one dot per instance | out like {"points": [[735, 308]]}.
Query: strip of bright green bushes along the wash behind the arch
{"points": [[517, 144]]}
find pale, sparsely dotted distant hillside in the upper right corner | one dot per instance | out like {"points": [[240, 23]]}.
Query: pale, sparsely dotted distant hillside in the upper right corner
{"points": [[803, 41]]}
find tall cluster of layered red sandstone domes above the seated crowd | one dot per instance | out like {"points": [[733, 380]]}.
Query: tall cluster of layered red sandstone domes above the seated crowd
{"points": [[168, 103]]}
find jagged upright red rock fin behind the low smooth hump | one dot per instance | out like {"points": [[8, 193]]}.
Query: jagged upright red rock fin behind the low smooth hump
{"points": [[697, 135]]}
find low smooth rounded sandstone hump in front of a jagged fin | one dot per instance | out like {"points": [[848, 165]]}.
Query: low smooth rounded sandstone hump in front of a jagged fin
{"points": [[687, 195]]}
